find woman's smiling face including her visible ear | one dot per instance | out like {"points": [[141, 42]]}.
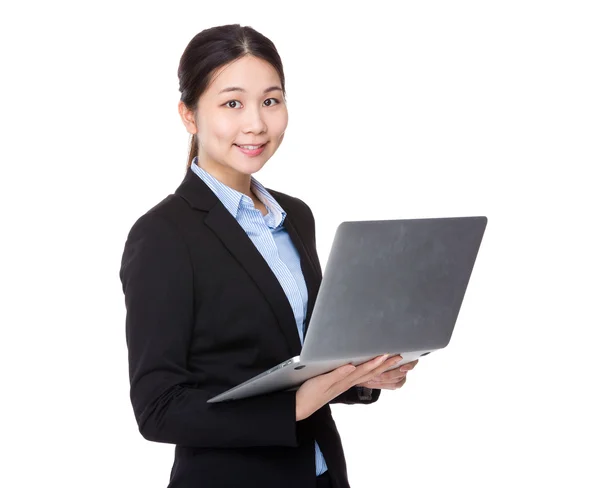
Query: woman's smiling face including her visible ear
{"points": [[242, 105]]}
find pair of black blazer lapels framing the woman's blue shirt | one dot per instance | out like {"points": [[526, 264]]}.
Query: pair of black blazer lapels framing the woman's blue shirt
{"points": [[234, 238]]}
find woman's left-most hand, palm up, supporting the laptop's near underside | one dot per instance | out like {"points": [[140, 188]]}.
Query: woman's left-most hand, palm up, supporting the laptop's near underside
{"points": [[318, 391]]}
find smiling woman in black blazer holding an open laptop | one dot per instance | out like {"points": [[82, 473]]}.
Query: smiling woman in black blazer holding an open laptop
{"points": [[220, 279]]}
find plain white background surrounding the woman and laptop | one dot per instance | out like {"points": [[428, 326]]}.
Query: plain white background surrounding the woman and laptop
{"points": [[397, 110]]}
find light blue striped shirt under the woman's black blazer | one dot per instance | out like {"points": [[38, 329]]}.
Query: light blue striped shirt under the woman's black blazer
{"points": [[273, 242]]}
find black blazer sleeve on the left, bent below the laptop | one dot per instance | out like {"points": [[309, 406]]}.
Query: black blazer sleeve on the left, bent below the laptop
{"points": [[169, 406]]}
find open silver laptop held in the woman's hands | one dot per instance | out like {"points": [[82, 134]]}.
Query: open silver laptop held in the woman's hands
{"points": [[390, 286]]}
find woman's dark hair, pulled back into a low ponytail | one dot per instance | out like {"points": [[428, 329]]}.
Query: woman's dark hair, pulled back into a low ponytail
{"points": [[213, 48]]}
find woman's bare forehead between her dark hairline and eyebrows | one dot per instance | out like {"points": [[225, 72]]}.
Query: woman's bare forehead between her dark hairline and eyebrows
{"points": [[248, 72]]}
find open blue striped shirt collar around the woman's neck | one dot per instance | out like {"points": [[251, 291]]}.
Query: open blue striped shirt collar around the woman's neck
{"points": [[233, 200]]}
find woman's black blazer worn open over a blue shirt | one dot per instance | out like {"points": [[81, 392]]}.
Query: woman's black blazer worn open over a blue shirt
{"points": [[205, 313]]}
